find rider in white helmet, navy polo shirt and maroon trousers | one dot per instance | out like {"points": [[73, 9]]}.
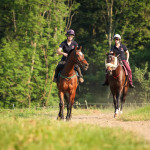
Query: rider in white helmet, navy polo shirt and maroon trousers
{"points": [[121, 49]]}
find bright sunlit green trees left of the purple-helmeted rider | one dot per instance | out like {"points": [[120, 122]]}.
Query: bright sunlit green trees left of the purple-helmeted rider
{"points": [[31, 32]]}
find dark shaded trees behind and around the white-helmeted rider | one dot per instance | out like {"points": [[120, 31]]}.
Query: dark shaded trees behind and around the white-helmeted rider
{"points": [[130, 20]]}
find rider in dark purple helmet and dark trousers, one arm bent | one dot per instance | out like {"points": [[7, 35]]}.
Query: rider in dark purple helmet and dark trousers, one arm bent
{"points": [[64, 48]]}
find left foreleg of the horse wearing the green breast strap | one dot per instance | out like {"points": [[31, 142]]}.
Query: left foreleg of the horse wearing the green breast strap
{"points": [[61, 106]]}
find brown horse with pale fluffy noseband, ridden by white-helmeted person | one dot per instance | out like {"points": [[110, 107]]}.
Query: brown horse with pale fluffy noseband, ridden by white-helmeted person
{"points": [[118, 81]]}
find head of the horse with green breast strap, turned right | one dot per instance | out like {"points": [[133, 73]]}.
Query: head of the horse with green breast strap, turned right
{"points": [[79, 59]]}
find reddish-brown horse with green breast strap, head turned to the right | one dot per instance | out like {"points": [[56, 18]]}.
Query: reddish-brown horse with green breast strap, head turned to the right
{"points": [[67, 83]]}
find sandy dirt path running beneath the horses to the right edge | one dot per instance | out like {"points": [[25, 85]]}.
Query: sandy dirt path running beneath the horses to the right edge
{"points": [[141, 128]]}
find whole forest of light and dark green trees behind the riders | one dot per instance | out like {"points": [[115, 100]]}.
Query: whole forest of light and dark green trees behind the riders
{"points": [[32, 30]]}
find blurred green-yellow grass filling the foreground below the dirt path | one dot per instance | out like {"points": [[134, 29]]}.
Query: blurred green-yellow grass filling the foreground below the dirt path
{"points": [[39, 130]]}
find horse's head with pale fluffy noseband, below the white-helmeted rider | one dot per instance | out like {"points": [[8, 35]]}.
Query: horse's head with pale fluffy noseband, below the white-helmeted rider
{"points": [[111, 62]]}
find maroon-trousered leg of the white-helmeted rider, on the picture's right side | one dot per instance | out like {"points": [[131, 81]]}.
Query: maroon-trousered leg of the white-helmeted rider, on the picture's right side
{"points": [[129, 73]]}
